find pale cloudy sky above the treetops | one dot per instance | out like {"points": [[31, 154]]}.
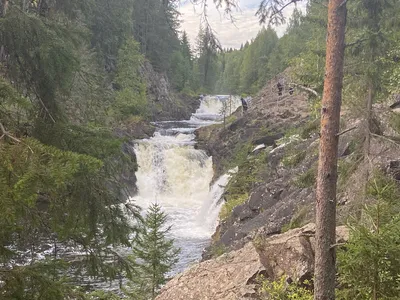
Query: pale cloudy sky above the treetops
{"points": [[231, 35]]}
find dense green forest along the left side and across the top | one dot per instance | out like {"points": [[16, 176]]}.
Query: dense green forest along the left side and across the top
{"points": [[71, 75]]}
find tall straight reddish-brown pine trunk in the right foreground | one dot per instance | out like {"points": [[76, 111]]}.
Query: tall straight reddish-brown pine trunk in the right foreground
{"points": [[325, 256]]}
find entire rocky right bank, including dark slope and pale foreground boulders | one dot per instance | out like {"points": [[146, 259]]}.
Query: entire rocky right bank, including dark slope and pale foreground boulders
{"points": [[265, 223]]}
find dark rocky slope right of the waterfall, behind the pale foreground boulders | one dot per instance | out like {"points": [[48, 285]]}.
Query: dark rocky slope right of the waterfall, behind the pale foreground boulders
{"points": [[275, 145]]}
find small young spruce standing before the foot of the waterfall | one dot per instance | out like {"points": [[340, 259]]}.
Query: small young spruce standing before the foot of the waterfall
{"points": [[154, 254]]}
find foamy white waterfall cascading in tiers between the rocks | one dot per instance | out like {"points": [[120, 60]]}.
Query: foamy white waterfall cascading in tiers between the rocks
{"points": [[175, 175]]}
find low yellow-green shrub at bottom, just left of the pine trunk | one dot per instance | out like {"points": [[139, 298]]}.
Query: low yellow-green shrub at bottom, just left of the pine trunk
{"points": [[281, 290]]}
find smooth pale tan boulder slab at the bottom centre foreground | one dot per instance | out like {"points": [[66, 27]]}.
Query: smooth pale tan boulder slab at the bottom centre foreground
{"points": [[230, 276]]}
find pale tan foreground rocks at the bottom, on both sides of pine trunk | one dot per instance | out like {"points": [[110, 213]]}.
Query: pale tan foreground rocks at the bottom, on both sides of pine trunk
{"points": [[233, 275]]}
